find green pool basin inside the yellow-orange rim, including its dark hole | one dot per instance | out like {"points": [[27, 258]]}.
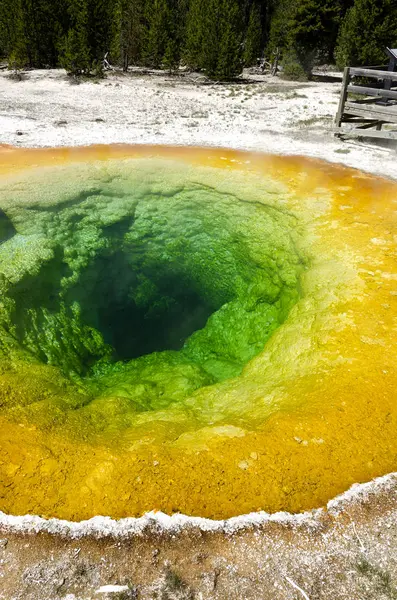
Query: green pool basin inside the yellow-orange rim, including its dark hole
{"points": [[141, 284]]}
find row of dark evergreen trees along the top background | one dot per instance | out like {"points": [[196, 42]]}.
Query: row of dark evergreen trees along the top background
{"points": [[217, 37]]}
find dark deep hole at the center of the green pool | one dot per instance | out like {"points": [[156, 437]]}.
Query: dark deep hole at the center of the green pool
{"points": [[139, 311]]}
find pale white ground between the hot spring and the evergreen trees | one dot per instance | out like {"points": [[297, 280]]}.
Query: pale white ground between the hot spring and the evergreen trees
{"points": [[47, 108]]}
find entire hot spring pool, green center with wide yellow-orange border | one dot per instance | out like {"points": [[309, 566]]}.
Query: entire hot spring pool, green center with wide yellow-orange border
{"points": [[192, 330]]}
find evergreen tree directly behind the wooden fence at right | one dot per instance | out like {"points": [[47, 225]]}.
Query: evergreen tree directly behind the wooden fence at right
{"points": [[366, 31]]}
